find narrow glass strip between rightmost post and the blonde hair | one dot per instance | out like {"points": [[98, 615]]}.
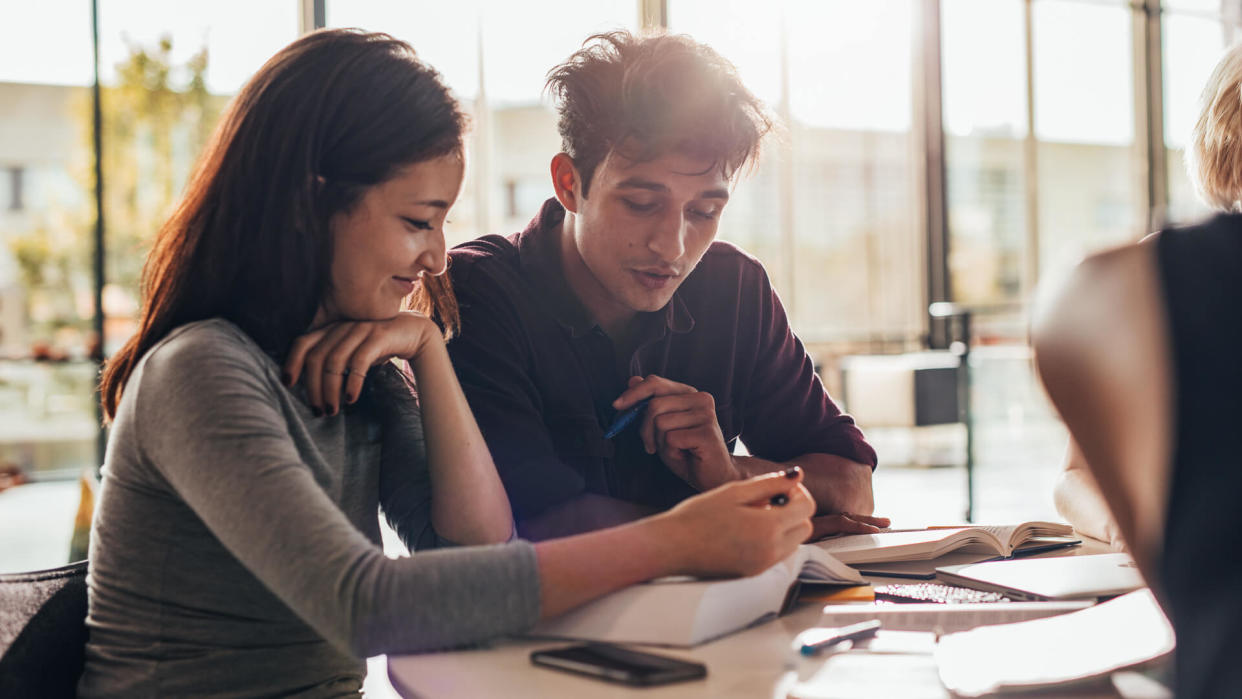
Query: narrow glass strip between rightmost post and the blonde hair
{"points": [[1192, 49]]}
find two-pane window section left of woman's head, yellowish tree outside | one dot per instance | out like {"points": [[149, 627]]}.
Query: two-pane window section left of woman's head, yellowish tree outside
{"points": [[166, 74]]}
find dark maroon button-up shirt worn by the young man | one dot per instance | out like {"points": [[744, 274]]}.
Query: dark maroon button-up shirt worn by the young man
{"points": [[541, 376]]}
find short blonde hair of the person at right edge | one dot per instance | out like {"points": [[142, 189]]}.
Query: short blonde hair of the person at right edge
{"points": [[1214, 158]]}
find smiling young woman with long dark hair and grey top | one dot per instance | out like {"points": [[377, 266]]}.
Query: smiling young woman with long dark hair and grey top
{"points": [[259, 424]]}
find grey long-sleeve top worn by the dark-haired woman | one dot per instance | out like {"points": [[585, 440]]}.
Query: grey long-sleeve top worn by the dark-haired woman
{"points": [[235, 547]]}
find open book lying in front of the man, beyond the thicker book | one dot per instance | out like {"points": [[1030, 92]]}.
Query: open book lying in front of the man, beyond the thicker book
{"points": [[927, 544]]}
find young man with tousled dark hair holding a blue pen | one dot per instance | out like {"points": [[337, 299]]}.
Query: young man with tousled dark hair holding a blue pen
{"points": [[619, 294]]}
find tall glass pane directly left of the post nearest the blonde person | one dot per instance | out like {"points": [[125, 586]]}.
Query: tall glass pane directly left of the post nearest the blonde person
{"points": [[1089, 177]]}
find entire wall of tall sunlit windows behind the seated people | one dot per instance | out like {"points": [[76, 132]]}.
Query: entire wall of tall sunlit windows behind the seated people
{"points": [[1044, 107]]}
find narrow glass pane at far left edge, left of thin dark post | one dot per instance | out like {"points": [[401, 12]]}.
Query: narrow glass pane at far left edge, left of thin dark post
{"points": [[48, 419]]}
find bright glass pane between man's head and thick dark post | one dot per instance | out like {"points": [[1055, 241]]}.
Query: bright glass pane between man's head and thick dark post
{"points": [[856, 271]]}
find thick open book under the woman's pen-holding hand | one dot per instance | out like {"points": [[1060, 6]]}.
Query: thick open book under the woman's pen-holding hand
{"points": [[685, 611]]}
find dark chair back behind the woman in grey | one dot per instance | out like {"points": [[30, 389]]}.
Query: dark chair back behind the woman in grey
{"points": [[43, 631]]}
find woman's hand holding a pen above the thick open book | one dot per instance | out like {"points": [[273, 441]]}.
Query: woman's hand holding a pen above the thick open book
{"points": [[741, 528]]}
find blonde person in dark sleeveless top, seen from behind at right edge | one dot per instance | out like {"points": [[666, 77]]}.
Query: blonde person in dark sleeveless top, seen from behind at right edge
{"points": [[1140, 352]]}
